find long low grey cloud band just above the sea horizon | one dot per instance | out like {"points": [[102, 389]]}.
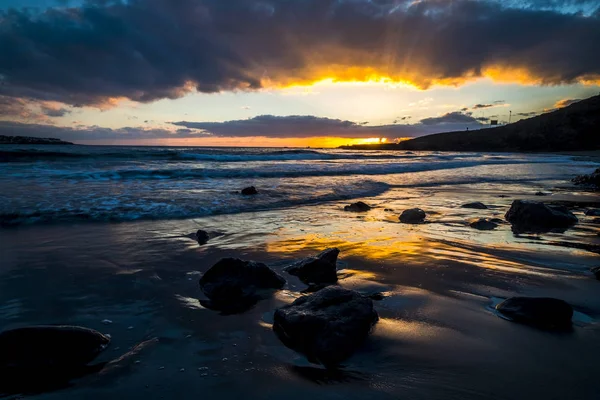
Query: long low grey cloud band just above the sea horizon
{"points": [[295, 126]]}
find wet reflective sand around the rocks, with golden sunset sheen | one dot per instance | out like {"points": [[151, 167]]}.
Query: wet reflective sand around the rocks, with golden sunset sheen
{"points": [[438, 337]]}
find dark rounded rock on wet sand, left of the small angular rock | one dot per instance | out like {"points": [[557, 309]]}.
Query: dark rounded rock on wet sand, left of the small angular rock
{"points": [[233, 285]]}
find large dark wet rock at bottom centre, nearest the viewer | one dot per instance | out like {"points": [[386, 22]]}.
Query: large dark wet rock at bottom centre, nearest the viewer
{"points": [[327, 326]]}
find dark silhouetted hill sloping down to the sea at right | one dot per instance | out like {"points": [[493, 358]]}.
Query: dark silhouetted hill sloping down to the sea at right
{"points": [[573, 128]]}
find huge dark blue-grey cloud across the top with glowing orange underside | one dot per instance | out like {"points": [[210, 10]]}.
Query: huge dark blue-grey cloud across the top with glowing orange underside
{"points": [[144, 50]]}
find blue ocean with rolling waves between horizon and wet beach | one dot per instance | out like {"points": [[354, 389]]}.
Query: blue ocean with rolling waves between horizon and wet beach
{"points": [[52, 184]]}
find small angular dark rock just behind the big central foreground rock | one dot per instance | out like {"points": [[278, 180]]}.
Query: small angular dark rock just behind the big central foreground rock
{"points": [[321, 269]]}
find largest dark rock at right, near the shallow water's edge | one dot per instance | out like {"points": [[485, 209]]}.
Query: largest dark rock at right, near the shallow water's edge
{"points": [[535, 217]]}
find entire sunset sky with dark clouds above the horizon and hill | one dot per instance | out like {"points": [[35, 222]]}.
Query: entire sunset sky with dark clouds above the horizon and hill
{"points": [[319, 73]]}
